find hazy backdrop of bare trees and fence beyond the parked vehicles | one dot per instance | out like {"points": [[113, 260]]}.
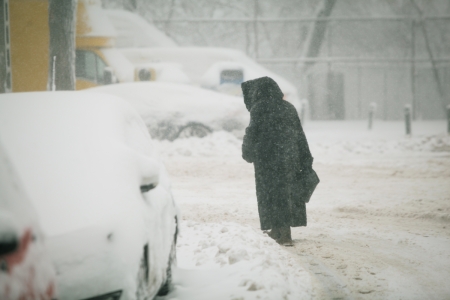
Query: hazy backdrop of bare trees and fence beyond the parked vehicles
{"points": [[341, 55]]}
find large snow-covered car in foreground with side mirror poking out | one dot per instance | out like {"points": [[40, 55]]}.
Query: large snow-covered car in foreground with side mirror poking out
{"points": [[99, 188]]}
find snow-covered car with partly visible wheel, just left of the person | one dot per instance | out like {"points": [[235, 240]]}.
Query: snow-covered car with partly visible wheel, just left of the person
{"points": [[173, 110]]}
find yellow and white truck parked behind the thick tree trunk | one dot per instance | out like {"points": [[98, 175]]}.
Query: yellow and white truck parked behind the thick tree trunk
{"points": [[98, 62]]}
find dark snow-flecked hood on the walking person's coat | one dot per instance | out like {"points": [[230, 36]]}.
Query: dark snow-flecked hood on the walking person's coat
{"points": [[263, 89]]}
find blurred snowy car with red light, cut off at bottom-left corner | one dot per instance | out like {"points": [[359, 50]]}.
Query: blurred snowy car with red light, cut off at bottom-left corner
{"points": [[26, 271]]}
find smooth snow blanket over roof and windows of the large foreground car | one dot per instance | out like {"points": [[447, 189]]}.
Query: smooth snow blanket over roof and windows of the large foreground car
{"points": [[70, 149]]}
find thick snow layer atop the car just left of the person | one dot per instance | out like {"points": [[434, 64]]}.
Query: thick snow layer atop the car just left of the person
{"points": [[180, 103]]}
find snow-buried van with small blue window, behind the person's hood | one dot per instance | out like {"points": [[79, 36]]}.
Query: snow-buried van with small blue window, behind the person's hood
{"points": [[219, 69]]}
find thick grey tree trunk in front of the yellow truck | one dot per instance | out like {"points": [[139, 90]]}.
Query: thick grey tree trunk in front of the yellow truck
{"points": [[62, 26]]}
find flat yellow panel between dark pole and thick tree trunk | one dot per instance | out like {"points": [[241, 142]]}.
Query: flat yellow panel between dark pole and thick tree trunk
{"points": [[29, 34]]}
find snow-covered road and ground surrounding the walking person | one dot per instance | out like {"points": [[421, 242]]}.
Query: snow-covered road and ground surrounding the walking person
{"points": [[378, 223]]}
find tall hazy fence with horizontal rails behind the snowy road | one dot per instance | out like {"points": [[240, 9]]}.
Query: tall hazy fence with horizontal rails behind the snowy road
{"points": [[387, 60]]}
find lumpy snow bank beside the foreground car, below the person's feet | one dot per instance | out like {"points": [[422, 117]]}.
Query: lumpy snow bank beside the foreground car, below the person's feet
{"points": [[231, 261]]}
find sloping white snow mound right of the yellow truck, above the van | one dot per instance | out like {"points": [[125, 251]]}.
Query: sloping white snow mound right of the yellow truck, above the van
{"points": [[134, 31]]}
